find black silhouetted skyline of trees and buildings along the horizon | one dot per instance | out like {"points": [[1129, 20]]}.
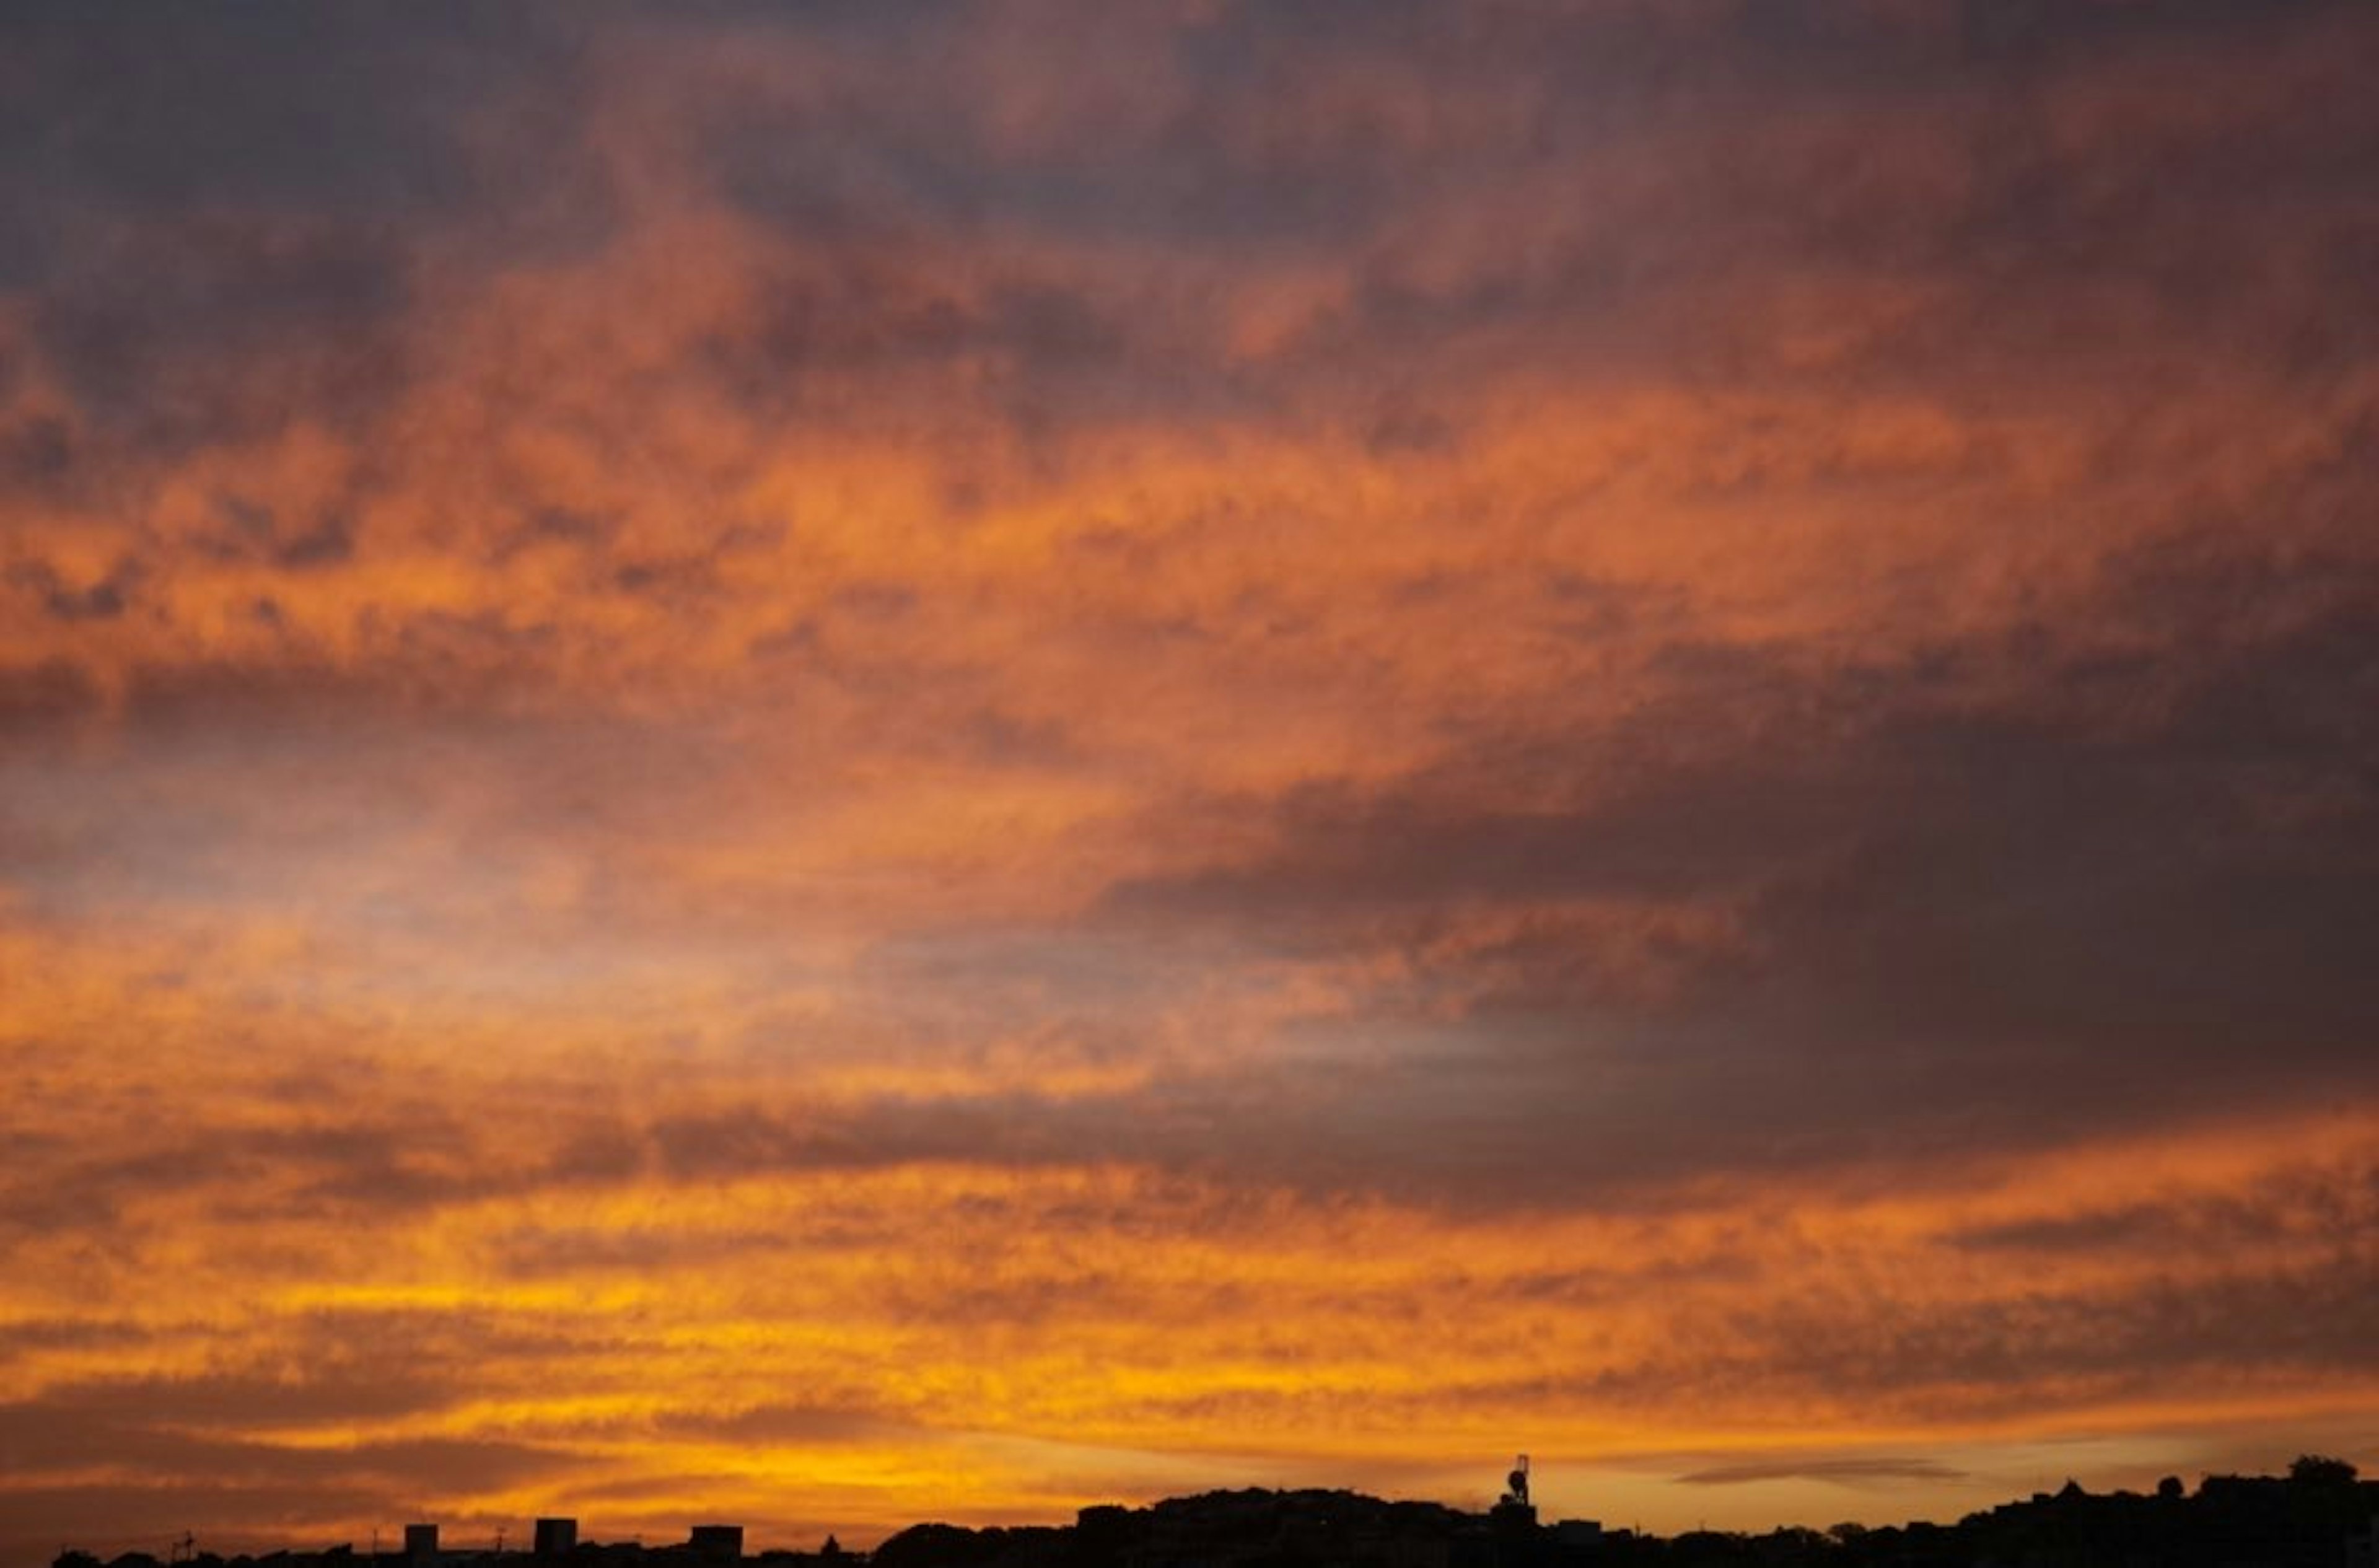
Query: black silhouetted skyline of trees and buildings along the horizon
{"points": [[2321, 1514]]}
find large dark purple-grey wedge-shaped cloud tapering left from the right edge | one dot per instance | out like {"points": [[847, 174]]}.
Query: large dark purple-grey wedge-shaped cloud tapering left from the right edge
{"points": [[2007, 891]]}
